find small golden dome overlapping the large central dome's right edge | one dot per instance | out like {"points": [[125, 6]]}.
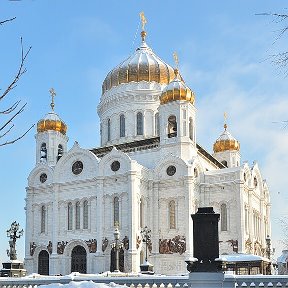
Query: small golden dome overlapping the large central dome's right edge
{"points": [[177, 90]]}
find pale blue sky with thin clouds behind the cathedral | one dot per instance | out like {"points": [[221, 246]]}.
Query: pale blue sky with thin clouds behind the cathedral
{"points": [[224, 53]]}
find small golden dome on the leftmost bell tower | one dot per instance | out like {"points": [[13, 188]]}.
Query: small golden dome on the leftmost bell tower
{"points": [[51, 122]]}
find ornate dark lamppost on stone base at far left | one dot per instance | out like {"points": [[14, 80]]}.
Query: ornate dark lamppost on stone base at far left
{"points": [[13, 268]]}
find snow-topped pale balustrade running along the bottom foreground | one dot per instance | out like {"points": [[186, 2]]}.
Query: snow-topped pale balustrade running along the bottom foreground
{"points": [[208, 280]]}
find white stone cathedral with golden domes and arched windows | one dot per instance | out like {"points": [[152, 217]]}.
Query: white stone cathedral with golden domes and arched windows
{"points": [[149, 172]]}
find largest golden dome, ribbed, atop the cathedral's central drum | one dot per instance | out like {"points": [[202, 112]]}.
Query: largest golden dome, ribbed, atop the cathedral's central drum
{"points": [[143, 65]]}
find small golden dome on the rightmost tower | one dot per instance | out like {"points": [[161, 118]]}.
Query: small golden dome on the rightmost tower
{"points": [[226, 142]]}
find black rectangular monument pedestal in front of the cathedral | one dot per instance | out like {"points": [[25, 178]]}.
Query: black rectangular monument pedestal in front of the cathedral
{"points": [[205, 242]]}
